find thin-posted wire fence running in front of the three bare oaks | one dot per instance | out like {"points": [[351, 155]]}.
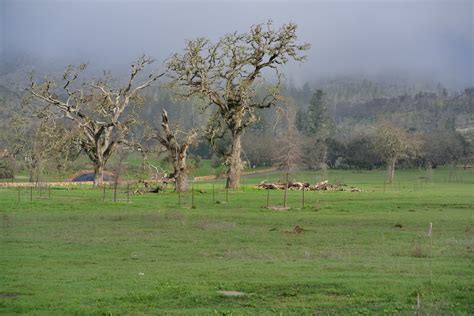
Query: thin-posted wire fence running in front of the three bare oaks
{"points": [[199, 195]]}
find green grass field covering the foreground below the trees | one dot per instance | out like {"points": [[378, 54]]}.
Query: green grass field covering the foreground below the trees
{"points": [[359, 253]]}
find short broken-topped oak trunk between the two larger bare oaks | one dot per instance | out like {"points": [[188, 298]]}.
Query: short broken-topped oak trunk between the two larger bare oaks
{"points": [[176, 143]]}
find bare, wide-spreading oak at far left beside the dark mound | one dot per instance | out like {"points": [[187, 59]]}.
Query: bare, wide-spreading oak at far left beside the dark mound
{"points": [[98, 108]]}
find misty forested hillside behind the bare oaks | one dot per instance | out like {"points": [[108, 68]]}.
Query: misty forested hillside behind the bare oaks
{"points": [[337, 119]]}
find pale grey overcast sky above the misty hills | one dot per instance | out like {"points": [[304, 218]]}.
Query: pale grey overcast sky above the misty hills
{"points": [[431, 38]]}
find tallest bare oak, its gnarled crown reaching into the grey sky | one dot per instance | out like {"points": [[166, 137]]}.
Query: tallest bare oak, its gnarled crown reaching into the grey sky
{"points": [[225, 74]]}
